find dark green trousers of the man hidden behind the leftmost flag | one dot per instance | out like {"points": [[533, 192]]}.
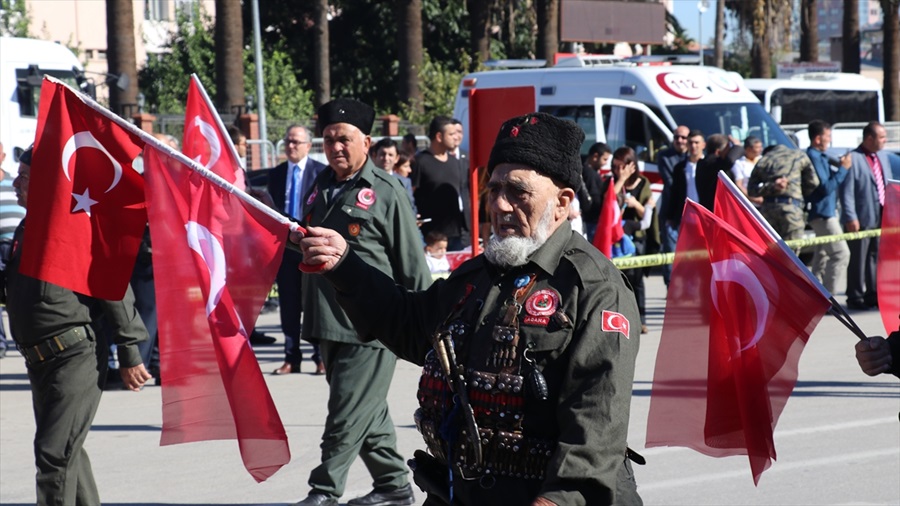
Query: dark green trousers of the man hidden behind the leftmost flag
{"points": [[65, 393]]}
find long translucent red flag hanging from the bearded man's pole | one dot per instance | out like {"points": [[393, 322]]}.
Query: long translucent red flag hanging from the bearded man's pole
{"points": [[216, 258]]}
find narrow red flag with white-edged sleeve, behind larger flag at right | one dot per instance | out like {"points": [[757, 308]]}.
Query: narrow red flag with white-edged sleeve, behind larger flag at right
{"points": [[737, 211]]}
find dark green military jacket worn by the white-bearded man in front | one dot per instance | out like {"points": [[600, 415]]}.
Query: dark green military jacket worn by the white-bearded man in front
{"points": [[588, 363]]}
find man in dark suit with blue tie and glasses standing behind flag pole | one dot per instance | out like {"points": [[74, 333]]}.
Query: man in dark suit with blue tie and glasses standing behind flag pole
{"points": [[290, 183]]}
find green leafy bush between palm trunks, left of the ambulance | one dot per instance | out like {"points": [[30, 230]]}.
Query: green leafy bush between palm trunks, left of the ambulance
{"points": [[439, 86]]}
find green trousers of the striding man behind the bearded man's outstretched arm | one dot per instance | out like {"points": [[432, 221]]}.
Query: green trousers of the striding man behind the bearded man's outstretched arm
{"points": [[358, 421]]}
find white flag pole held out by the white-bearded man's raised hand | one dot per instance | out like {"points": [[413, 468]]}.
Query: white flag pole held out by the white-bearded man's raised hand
{"points": [[196, 167]]}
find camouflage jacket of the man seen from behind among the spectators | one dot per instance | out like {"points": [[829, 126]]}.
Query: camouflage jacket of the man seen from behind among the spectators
{"points": [[782, 161]]}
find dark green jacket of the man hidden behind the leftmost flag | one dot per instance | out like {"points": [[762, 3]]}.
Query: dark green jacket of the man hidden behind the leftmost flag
{"points": [[39, 310]]}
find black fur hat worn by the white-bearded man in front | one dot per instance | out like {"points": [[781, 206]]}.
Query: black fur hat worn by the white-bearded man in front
{"points": [[549, 145]]}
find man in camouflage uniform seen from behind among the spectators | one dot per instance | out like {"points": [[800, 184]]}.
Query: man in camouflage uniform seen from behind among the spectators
{"points": [[783, 177]]}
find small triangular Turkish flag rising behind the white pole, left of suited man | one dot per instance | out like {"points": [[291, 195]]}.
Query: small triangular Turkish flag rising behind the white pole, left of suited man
{"points": [[205, 140]]}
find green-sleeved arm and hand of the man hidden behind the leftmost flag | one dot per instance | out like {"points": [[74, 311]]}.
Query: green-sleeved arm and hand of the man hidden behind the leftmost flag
{"points": [[127, 330]]}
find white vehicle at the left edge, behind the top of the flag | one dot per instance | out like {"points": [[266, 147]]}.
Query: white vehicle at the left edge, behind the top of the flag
{"points": [[23, 63]]}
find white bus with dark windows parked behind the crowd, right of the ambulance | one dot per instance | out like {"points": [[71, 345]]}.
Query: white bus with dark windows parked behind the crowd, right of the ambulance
{"points": [[834, 97]]}
